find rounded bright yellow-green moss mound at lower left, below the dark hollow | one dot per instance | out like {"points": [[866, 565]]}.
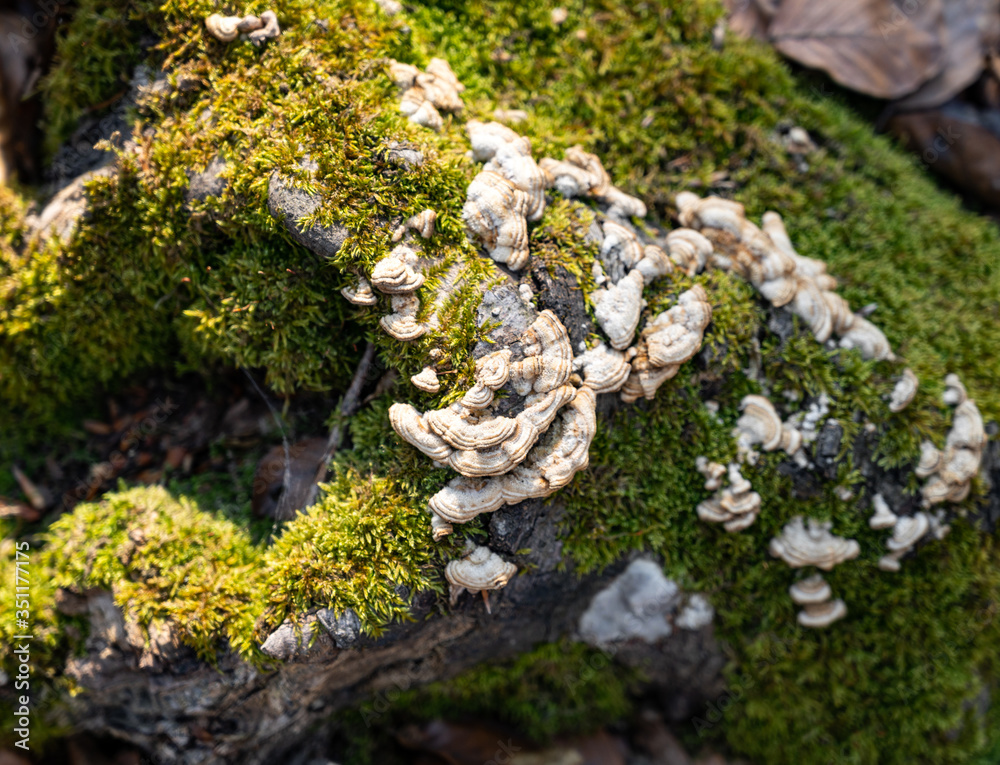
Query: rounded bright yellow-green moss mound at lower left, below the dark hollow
{"points": [[138, 544]]}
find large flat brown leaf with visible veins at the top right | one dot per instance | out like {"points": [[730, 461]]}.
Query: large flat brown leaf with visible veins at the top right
{"points": [[870, 46]]}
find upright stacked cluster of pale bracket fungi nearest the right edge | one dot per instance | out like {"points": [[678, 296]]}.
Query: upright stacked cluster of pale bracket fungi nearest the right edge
{"points": [[949, 473]]}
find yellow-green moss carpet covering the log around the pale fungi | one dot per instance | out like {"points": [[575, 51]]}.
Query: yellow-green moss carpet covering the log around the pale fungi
{"points": [[170, 270]]}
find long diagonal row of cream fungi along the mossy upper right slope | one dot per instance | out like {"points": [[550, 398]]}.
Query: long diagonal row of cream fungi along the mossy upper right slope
{"points": [[766, 258]]}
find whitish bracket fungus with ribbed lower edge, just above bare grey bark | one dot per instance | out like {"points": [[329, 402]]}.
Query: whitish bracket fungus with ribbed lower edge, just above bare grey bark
{"points": [[495, 212]]}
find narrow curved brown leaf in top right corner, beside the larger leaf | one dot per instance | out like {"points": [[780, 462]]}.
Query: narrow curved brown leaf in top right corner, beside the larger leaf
{"points": [[969, 26]]}
